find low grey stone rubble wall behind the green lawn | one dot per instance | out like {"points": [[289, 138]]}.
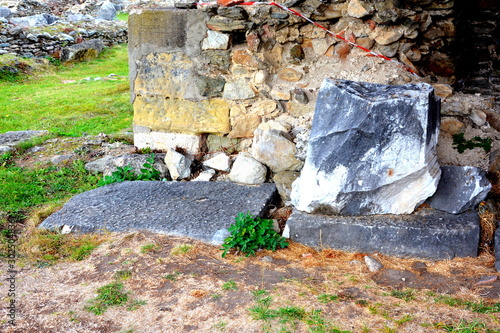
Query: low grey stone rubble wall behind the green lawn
{"points": [[33, 30]]}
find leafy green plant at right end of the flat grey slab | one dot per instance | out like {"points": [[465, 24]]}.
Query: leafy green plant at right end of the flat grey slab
{"points": [[250, 234]]}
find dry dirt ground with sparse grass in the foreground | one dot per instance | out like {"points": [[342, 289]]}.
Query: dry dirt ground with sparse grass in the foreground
{"points": [[185, 286]]}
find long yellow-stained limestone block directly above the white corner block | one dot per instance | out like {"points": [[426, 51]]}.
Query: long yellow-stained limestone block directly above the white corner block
{"points": [[182, 116]]}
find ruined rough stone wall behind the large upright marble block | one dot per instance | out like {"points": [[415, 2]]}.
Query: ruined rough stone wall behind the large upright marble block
{"points": [[217, 73]]}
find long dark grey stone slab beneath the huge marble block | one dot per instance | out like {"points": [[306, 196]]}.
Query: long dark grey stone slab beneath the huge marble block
{"points": [[426, 234]]}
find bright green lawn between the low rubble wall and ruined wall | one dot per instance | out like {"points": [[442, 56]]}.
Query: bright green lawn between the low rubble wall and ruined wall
{"points": [[46, 102]]}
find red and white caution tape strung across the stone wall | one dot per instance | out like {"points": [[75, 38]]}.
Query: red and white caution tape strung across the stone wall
{"points": [[294, 12]]}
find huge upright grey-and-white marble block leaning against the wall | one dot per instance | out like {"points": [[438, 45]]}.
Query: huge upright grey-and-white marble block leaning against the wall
{"points": [[372, 150]]}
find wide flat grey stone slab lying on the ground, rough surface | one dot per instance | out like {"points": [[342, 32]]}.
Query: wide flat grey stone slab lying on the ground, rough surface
{"points": [[199, 210]]}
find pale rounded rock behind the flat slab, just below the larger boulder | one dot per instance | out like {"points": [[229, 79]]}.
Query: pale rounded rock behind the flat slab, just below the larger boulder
{"points": [[247, 170]]}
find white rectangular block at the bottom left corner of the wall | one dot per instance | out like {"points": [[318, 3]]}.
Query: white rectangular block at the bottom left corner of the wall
{"points": [[145, 138]]}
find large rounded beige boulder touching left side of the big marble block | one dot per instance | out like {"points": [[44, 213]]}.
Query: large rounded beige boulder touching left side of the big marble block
{"points": [[271, 148]]}
